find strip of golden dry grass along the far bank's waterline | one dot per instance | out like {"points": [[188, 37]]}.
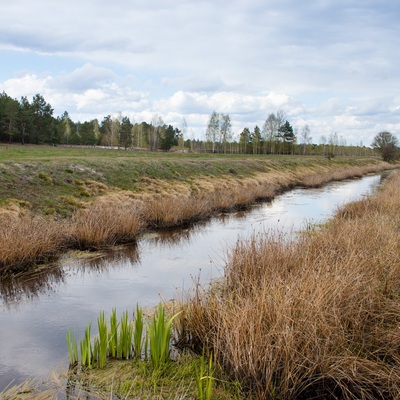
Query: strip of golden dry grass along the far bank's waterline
{"points": [[121, 216]]}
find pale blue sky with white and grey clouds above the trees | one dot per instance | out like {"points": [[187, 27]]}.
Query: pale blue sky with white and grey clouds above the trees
{"points": [[330, 64]]}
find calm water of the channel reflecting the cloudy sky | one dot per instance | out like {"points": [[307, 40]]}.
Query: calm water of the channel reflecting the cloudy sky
{"points": [[37, 310]]}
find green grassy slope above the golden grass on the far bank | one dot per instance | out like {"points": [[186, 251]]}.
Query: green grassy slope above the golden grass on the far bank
{"points": [[56, 180]]}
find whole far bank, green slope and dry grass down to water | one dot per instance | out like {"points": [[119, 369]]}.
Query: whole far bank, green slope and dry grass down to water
{"points": [[60, 199]]}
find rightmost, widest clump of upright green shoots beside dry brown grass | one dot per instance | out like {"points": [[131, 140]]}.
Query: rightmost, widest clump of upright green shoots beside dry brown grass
{"points": [[160, 336]]}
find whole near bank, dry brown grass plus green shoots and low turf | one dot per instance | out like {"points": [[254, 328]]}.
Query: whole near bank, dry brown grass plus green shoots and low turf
{"points": [[312, 318]]}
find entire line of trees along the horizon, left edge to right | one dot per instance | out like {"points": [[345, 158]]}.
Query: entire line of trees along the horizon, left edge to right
{"points": [[33, 121]]}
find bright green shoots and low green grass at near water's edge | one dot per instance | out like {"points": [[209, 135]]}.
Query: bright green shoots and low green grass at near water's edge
{"points": [[146, 375]]}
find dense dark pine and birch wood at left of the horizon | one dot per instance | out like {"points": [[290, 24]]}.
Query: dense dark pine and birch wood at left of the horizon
{"points": [[33, 121]]}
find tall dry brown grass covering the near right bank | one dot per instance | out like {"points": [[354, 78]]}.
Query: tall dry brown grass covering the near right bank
{"points": [[318, 317]]}
